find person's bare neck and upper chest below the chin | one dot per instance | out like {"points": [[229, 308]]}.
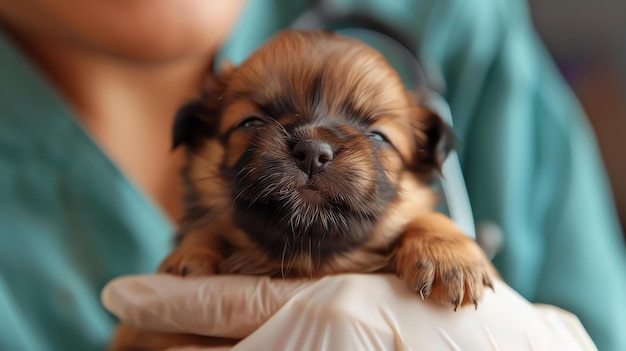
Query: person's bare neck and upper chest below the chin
{"points": [[129, 109]]}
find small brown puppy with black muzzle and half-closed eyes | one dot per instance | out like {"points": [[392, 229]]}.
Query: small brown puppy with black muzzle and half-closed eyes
{"points": [[311, 158]]}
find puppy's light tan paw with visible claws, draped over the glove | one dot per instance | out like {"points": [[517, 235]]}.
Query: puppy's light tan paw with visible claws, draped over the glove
{"points": [[444, 265]]}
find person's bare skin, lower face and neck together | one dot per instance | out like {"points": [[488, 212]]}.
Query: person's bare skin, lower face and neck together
{"points": [[125, 67]]}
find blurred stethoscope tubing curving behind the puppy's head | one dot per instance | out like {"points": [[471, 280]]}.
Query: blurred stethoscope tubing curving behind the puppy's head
{"points": [[396, 46]]}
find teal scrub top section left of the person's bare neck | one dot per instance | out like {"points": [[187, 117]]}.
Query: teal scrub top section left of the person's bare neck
{"points": [[69, 220]]}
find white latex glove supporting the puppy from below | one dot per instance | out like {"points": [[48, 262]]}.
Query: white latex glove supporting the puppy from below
{"points": [[342, 312]]}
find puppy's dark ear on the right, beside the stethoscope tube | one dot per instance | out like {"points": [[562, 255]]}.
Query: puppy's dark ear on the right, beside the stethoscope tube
{"points": [[434, 136]]}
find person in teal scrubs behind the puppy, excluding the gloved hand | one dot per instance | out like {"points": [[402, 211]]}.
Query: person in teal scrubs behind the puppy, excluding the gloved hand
{"points": [[88, 186]]}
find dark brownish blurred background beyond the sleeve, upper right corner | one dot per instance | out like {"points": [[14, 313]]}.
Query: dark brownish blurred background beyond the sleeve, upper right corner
{"points": [[587, 39]]}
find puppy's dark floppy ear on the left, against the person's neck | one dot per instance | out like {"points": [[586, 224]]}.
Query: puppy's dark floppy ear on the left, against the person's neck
{"points": [[199, 119]]}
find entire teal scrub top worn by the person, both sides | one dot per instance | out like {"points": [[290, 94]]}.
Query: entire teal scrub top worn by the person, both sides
{"points": [[70, 221]]}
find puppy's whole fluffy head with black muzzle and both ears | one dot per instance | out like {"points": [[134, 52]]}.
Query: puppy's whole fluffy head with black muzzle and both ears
{"points": [[311, 147]]}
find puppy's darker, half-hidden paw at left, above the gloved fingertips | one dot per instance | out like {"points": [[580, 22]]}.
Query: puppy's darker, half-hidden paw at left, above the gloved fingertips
{"points": [[191, 262]]}
